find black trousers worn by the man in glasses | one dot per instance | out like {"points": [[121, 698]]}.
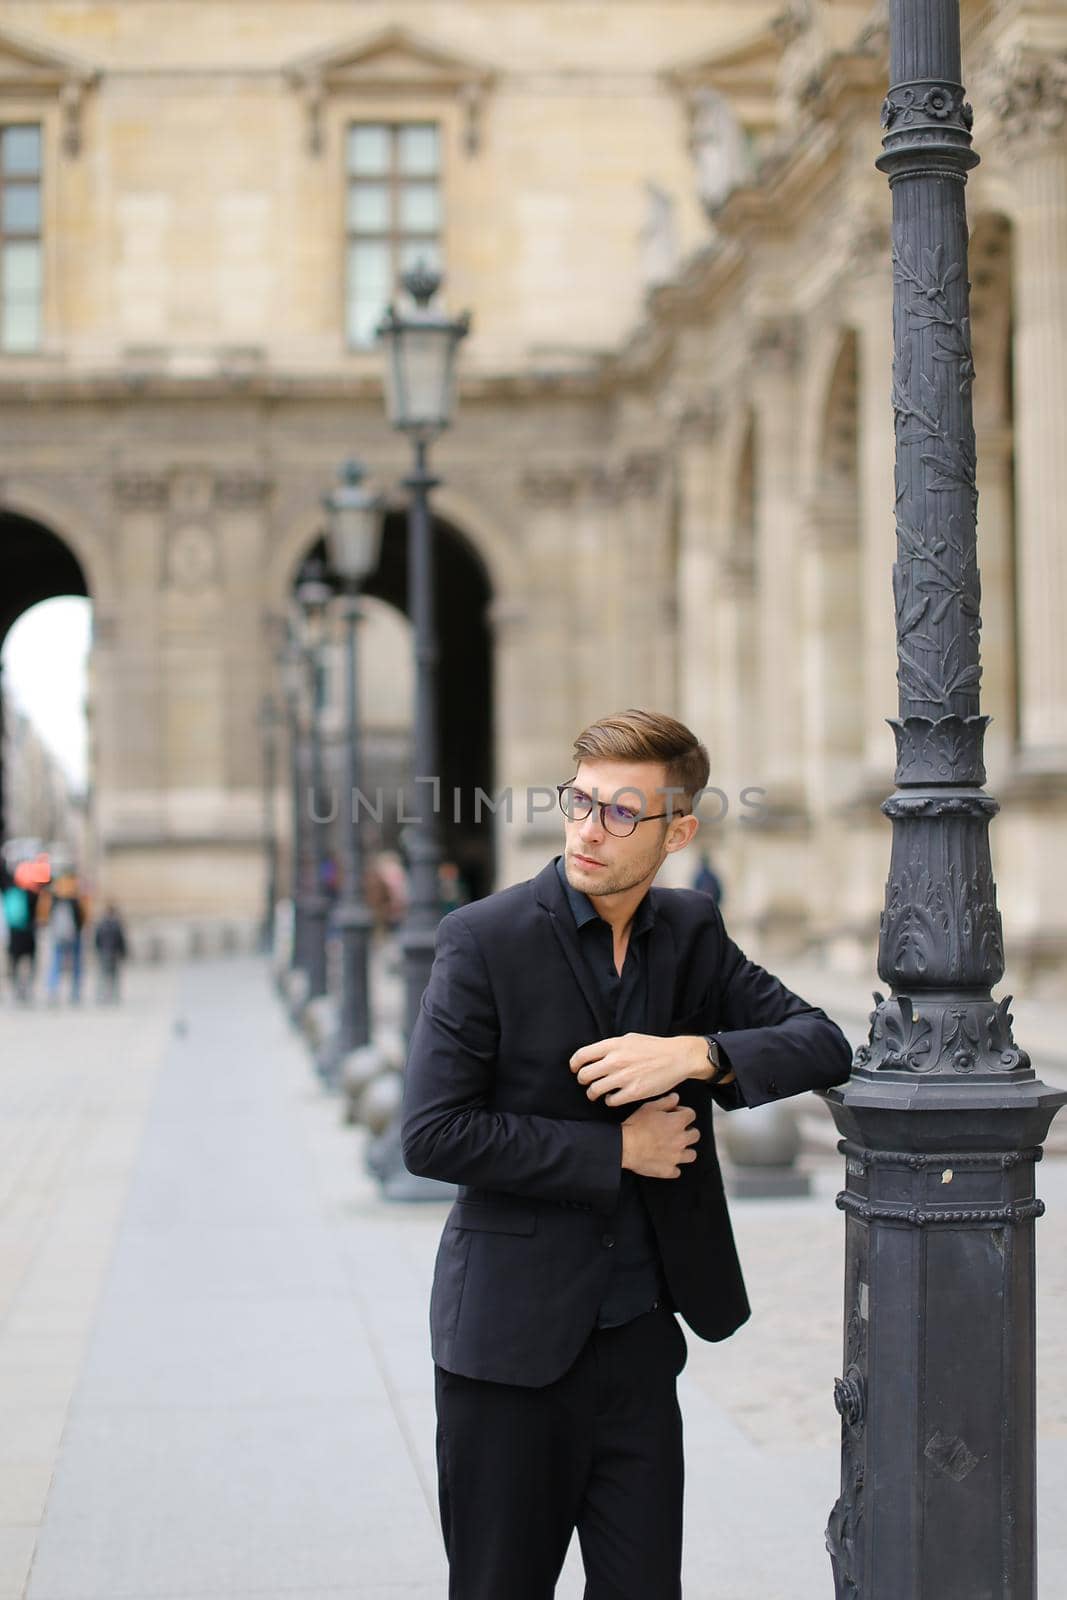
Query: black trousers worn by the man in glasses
{"points": [[599, 1450]]}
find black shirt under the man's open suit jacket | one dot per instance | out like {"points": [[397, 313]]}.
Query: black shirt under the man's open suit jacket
{"points": [[636, 1282]]}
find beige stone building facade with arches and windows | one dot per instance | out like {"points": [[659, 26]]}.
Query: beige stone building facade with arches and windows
{"points": [[671, 479]]}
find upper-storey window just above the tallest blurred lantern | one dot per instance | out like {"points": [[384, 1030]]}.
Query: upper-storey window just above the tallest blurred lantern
{"points": [[394, 215]]}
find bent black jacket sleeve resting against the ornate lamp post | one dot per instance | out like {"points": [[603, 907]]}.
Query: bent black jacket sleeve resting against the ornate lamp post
{"points": [[775, 1042]]}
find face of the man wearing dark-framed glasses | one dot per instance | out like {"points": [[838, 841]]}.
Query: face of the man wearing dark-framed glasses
{"points": [[602, 863]]}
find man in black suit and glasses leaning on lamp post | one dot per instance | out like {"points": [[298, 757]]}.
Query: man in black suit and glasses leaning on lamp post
{"points": [[572, 1039]]}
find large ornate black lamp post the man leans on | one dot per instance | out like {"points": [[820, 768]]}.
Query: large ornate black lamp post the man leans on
{"points": [[943, 1118]]}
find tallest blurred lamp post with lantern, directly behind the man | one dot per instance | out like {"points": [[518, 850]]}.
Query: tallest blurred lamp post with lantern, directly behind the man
{"points": [[422, 350]]}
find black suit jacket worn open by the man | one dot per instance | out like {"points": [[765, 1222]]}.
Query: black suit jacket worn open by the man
{"points": [[492, 1105]]}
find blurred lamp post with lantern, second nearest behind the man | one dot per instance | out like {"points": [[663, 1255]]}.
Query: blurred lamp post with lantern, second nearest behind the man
{"points": [[354, 534]]}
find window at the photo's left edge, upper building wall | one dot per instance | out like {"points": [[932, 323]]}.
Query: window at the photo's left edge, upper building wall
{"points": [[20, 238]]}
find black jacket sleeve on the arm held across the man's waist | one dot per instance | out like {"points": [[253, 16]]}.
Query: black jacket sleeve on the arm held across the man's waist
{"points": [[450, 1129]]}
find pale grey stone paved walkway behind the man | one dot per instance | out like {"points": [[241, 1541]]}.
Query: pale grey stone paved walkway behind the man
{"points": [[214, 1356]]}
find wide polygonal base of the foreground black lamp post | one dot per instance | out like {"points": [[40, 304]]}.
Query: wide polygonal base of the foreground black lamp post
{"points": [[938, 1388]]}
